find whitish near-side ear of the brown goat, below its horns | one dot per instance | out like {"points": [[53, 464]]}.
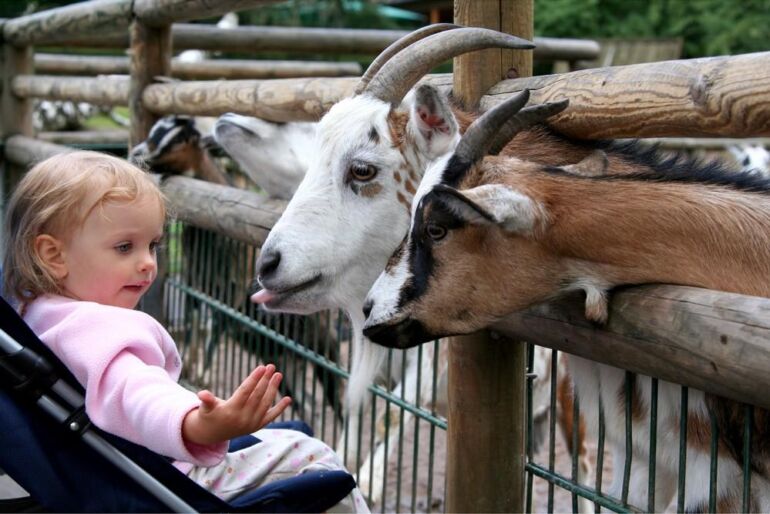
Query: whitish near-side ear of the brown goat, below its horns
{"points": [[496, 204]]}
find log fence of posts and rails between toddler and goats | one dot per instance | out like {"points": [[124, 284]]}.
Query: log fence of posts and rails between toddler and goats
{"points": [[719, 96]]}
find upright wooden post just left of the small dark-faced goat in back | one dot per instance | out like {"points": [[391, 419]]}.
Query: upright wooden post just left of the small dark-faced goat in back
{"points": [[150, 57]]}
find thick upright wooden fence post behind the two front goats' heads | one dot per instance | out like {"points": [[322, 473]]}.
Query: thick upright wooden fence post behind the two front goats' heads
{"points": [[485, 438]]}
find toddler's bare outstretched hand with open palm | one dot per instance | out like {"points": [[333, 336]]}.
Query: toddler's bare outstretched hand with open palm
{"points": [[247, 410]]}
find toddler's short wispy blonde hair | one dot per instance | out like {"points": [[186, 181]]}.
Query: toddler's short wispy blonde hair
{"points": [[55, 197]]}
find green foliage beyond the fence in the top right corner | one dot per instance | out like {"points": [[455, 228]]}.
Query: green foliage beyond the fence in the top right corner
{"points": [[708, 27]]}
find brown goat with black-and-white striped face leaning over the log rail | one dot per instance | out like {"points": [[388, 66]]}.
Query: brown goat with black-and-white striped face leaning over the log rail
{"points": [[493, 235]]}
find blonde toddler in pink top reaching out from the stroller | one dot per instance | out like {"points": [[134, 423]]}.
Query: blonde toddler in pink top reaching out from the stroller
{"points": [[83, 230]]}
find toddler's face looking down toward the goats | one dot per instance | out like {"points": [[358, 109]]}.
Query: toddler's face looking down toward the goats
{"points": [[111, 259]]}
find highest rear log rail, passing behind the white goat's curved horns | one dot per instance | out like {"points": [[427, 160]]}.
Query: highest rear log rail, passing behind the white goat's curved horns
{"points": [[249, 39]]}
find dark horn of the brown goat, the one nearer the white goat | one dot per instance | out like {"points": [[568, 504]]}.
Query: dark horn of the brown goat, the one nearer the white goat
{"points": [[482, 132]]}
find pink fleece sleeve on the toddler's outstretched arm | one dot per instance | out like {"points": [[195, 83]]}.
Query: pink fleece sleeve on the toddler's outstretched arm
{"points": [[129, 391]]}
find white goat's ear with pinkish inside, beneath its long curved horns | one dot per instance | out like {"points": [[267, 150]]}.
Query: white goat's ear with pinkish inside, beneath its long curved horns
{"points": [[432, 122]]}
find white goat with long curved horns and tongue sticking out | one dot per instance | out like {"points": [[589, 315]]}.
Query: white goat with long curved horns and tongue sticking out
{"points": [[352, 208]]}
